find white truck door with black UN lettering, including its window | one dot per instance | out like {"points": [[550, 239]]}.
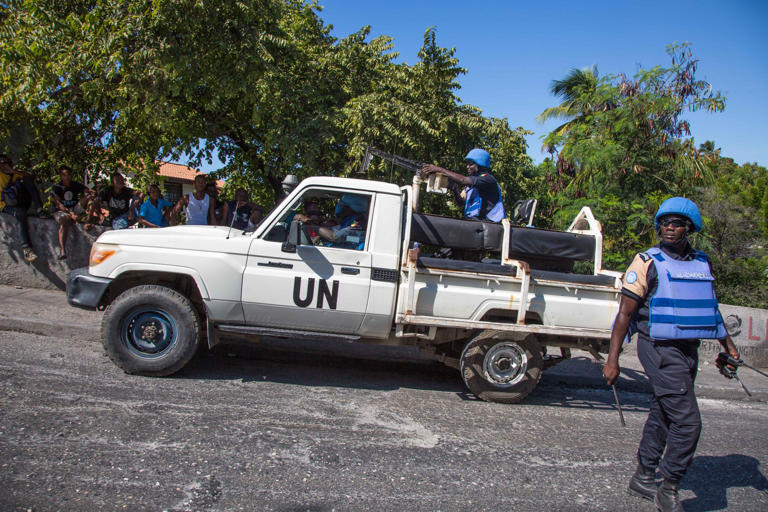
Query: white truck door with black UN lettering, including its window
{"points": [[323, 285]]}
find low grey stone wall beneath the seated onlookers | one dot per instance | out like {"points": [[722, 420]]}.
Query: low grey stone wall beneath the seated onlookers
{"points": [[47, 271]]}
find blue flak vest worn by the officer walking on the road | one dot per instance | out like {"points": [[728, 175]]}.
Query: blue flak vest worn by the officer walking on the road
{"points": [[684, 305]]}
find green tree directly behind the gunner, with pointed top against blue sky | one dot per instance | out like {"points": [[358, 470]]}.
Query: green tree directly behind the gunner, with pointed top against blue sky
{"points": [[415, 111]]}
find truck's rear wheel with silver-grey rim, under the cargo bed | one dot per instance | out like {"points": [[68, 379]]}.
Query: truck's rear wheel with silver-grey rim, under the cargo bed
{"points": [[497, 369]]}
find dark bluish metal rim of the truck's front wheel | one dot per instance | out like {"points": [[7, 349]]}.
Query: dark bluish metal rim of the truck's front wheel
{"points": [[149, 332]]}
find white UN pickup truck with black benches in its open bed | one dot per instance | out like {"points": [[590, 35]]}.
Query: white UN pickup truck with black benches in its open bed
{"points": [[348, 259]]}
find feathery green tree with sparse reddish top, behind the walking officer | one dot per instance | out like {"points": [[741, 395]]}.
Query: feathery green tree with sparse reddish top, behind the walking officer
{"points": [[628, 150]]}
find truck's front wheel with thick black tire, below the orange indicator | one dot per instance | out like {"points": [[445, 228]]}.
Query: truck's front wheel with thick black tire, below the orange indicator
{"points": [[150, 330]]}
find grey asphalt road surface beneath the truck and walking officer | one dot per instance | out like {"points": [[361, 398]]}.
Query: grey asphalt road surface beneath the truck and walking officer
{"points": [[287, 426]]}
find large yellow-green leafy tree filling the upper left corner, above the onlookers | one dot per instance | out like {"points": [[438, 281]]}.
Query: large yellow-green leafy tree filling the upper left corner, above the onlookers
{"points": [[122, 82]]}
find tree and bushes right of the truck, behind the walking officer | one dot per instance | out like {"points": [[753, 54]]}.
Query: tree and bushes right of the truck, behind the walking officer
{"points": [[626, 147]]}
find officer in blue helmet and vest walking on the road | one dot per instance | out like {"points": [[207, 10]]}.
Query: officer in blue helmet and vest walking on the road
{"points": [[669, 300]]}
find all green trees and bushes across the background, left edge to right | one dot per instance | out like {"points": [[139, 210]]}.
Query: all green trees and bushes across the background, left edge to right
{"points": [[102, 84]]}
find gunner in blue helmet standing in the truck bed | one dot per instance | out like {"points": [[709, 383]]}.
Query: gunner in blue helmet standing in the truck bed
{"points": [[481, 195]]}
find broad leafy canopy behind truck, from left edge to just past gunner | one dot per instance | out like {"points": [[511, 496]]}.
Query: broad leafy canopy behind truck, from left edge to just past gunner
{"points": [[260, 83]]}
